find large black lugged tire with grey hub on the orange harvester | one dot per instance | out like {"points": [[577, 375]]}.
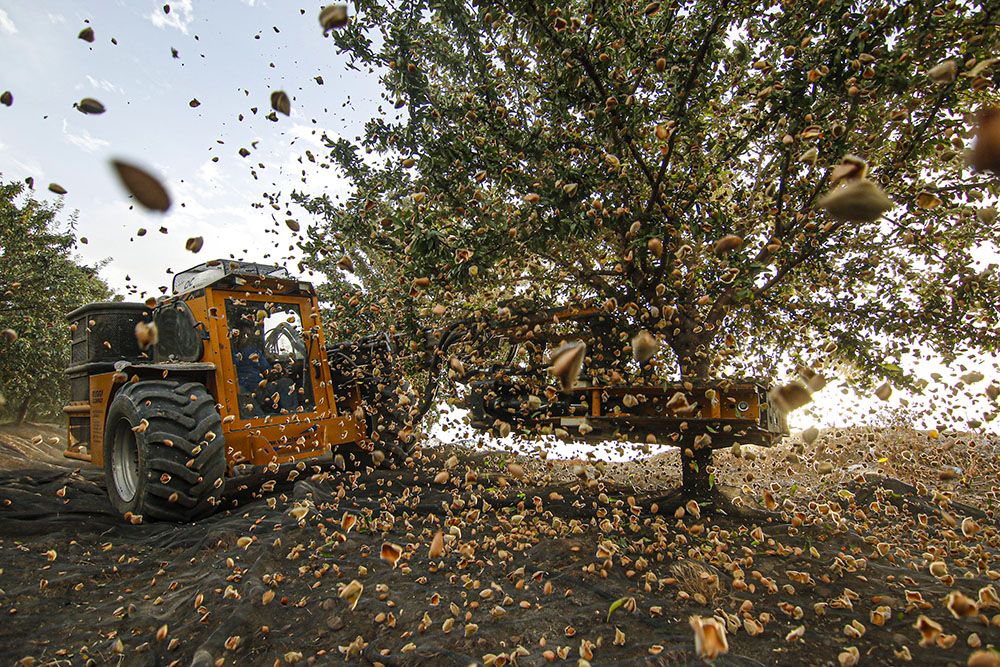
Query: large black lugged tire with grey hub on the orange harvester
{"points": [[164, 453]]}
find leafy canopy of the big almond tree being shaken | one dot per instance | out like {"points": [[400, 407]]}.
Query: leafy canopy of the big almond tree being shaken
{"points": [[712, 172]]}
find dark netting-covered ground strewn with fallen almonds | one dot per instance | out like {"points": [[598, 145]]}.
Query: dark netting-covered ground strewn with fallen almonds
{"points": [[521, 577]]}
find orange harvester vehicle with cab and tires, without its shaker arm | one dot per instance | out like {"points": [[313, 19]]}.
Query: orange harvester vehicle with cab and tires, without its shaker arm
{"points": [[228, 374]]}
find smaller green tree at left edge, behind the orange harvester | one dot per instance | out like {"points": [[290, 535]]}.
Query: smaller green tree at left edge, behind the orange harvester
{"points": [[40, 282]]}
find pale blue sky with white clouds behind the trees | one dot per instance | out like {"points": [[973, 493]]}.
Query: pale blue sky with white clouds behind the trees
{"points": [[231, 54]]}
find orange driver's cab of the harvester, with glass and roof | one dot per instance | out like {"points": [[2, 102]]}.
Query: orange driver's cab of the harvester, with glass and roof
{"points": [[260, 329]]}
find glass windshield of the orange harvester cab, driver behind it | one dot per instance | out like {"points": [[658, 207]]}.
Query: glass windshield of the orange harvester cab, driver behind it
{"points": [[270, 358]]}
